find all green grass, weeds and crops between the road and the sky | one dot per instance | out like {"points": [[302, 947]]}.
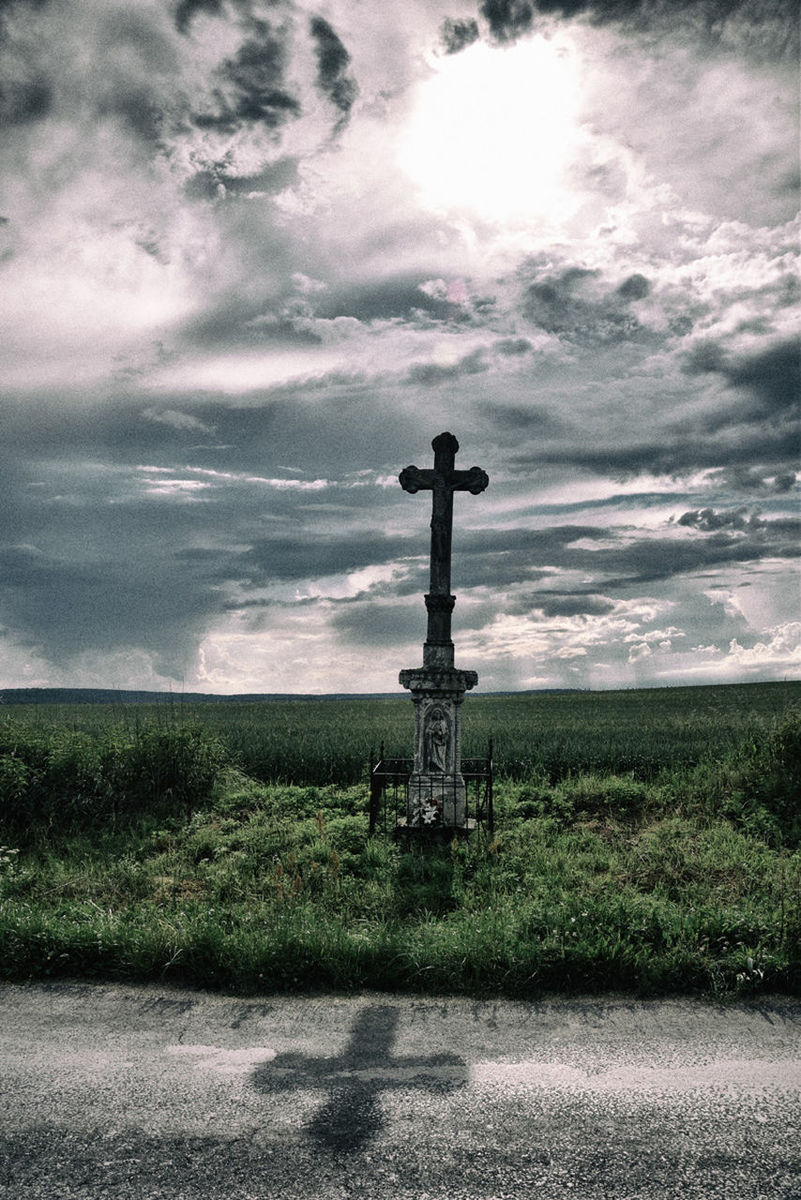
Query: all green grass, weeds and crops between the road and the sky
{"points": [[646, 842]]}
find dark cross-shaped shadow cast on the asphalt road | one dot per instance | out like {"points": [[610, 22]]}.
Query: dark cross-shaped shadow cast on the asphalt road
{"points": [[353, 1115]]}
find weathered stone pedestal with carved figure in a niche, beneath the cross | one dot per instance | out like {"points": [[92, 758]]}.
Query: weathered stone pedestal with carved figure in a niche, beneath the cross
{"points": [[437, 790]]}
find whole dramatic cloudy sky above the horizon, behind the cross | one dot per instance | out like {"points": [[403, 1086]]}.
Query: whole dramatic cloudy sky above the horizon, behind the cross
{"points": [[255, 256]]}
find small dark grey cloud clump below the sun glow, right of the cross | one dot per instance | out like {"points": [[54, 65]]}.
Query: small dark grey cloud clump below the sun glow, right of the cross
{"points": [[577, 307]]}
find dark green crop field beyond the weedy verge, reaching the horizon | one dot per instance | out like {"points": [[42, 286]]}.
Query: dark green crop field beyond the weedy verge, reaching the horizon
{"points": [[557, 734]]}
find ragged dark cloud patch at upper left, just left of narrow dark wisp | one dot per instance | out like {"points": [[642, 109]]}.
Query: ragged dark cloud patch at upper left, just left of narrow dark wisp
{"points": [[252, 86]]}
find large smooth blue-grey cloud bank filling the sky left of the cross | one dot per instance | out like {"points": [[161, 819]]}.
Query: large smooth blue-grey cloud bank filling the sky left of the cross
{"points": [[99, 550]]}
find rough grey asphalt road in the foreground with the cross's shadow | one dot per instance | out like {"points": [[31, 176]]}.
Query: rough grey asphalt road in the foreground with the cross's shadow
{"points": [[147, 1093]]}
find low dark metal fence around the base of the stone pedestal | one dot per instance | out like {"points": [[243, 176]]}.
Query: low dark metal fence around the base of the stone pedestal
{"points": [[389, 796]]}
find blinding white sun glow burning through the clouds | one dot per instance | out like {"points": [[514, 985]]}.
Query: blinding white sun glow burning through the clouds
{"points": [[495, 131]]}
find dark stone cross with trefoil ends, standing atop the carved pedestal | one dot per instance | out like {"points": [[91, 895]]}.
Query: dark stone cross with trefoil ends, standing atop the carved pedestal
{"points": [[444, 481]]}
